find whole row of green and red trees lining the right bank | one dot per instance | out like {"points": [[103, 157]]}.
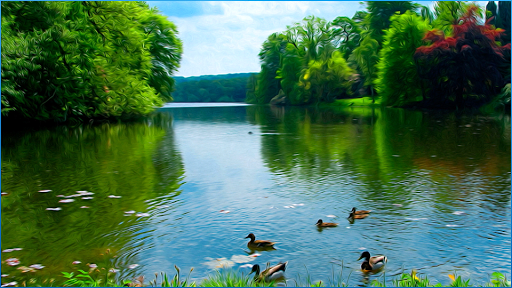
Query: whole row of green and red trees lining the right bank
{"points": [[454, 56]]}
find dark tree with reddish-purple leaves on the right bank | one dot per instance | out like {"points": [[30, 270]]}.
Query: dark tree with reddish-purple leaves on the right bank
{"points": [[463, 70]]}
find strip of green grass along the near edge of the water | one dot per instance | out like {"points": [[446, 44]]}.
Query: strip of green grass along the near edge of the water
{"points": [[233, 278]]}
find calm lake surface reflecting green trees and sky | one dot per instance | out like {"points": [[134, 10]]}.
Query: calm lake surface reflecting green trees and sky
{"points": [[438, 183]]}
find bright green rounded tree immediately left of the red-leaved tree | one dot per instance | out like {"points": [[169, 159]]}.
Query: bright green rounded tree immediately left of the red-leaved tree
{"points": [[397, 80]]}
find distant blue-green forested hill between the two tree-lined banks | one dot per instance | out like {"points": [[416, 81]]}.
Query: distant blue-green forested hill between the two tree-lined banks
{"points": [[211, 88]]}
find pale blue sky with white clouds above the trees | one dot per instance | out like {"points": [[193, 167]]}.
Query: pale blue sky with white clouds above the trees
{"points": [[221, 37]]}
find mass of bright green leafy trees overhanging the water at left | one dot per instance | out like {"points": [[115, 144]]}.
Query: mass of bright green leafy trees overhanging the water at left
{"points": [[85, 59]]}
